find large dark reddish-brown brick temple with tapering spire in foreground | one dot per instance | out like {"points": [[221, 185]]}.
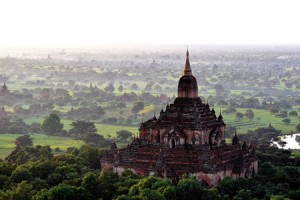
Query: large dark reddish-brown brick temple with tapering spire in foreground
{"points": [[187, 138]]}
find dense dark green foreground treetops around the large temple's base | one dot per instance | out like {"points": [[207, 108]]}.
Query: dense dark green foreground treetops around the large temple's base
{"points": [[76, 175]]}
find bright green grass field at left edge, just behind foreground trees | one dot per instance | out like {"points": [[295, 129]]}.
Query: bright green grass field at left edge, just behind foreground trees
{"points": [[7, 142]]}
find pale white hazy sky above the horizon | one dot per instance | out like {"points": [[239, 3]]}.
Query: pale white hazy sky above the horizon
{"points": [[62, 23]]}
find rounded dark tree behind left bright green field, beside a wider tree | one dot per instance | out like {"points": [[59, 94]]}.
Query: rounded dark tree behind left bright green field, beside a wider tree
{"points": [[52, 125]]}
